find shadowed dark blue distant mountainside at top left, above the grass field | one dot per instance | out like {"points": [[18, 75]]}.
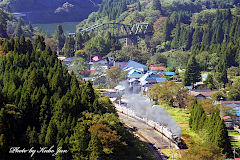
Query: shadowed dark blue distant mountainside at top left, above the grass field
{"points": [[50, 11]]}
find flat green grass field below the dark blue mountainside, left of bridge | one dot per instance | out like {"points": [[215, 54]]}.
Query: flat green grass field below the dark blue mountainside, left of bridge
{"points": [[68, 27]]}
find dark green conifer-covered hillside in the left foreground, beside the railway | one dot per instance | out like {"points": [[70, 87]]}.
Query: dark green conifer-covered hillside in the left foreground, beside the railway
{"points": [[41, 104]]}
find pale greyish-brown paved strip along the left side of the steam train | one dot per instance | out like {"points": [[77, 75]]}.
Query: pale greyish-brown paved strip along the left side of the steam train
{"points": [[144, 130]]}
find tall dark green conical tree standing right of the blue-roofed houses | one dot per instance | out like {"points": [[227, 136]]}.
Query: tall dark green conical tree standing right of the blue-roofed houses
{"points": [[192, 73]]}
